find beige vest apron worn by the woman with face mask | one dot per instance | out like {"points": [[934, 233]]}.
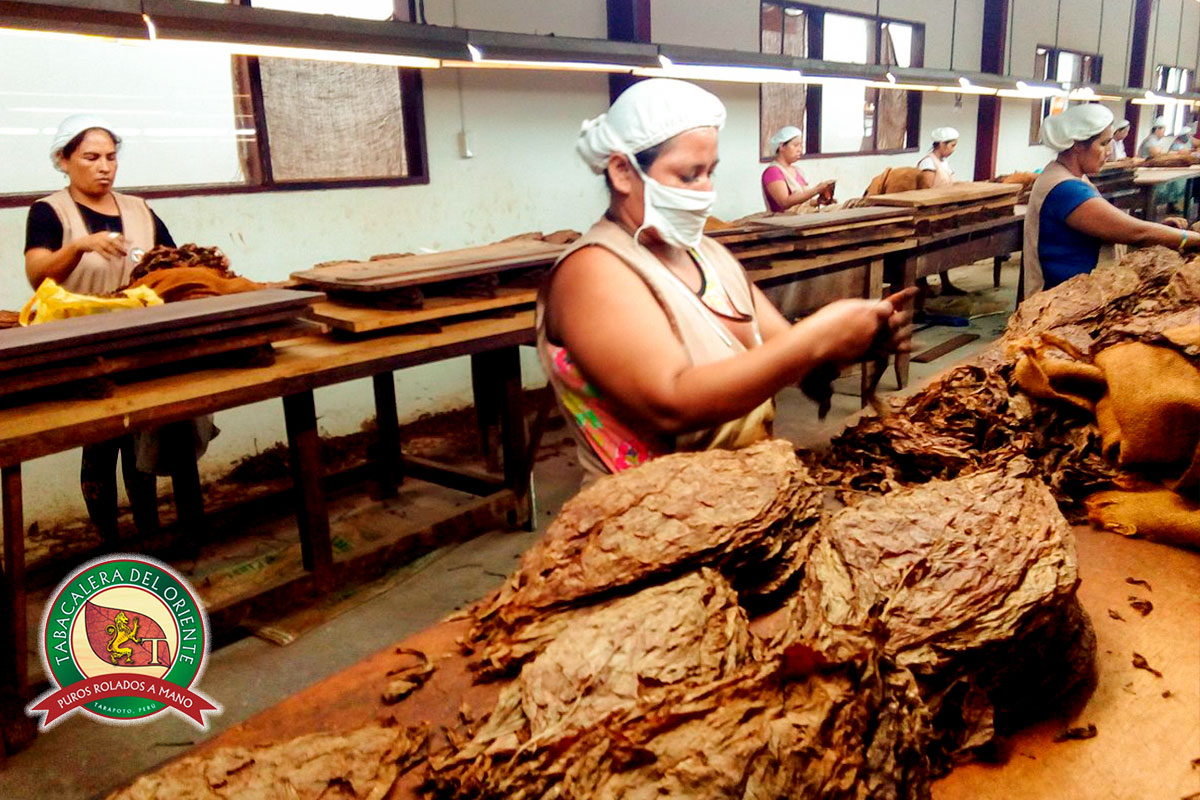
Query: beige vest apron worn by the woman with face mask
{"points": [[704, 336]]}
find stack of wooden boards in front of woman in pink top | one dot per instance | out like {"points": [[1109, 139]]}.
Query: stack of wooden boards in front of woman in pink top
{"points": [[776, 234]]}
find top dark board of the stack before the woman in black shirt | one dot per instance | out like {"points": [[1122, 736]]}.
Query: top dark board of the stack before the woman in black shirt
{"points": [[69, 338]]}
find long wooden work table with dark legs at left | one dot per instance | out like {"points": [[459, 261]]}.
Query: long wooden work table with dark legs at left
{"points": [[301, 366]]}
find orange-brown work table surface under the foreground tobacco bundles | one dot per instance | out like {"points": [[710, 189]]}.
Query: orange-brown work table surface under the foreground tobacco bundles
{"points": [[1143, 750]]}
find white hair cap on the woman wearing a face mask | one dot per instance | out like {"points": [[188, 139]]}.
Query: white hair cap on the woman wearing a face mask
{"points": [[646, 115]]}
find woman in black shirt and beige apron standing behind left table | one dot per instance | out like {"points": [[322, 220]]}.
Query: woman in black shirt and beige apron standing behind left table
{"points": [[88, 238]]}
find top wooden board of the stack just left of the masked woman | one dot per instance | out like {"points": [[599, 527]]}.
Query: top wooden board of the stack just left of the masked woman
{"points": [[431, 268]]}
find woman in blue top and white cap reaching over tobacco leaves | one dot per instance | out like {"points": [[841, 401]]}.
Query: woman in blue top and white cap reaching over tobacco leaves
{"points": [[1070, 230]]}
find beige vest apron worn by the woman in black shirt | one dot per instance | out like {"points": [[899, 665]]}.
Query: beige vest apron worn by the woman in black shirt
{"points": [[98, 274]]}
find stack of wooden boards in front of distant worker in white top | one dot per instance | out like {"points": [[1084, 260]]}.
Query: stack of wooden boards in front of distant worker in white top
{"points": [[946, 208]]}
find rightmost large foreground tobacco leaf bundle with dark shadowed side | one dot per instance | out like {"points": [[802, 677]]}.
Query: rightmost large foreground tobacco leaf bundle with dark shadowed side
{"points": [[975, 582]]}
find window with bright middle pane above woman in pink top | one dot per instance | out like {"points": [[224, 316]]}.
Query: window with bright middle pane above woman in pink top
{"points": [[857, 119]]}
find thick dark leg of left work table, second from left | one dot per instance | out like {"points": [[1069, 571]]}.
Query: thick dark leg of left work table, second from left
{"points": [[313, 516]]}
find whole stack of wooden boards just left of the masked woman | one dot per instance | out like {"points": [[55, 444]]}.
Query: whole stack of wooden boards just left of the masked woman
{"points": [[393, 292]]}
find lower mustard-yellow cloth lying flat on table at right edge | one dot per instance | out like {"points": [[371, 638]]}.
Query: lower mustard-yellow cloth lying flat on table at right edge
{"points": [[1159, 515]]}
